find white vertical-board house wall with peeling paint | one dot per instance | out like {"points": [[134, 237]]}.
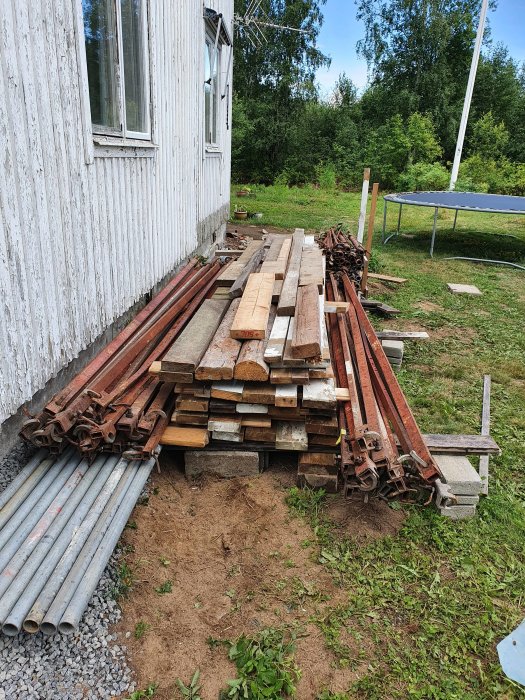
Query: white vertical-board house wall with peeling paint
{"points": [[86, 230]]}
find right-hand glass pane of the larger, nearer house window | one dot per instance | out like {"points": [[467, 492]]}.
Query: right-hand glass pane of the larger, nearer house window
{"points": [[133, 47]]}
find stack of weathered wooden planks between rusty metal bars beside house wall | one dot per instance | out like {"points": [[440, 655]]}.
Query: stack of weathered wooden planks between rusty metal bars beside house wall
{"points": [[254, 367]]}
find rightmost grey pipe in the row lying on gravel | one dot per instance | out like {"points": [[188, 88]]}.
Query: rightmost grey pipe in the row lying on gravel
{"points": [[94, 571]]}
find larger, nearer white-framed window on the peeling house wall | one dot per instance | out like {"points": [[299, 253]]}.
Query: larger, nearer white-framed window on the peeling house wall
{"points": [[116, 38]]}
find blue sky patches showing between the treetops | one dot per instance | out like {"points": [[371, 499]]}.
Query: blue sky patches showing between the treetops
{"points": [[341, 32]]}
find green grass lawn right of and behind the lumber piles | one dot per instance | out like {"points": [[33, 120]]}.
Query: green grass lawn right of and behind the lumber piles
{"points": [[427, 607]]}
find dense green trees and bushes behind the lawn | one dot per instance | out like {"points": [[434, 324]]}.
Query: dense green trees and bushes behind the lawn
{"points": [[403, 125]]}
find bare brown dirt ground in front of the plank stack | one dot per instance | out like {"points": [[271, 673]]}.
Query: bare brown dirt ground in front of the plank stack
{"points": [[238, 562]]}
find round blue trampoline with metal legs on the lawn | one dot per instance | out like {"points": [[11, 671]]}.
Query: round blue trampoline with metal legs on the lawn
{"points": [[458, 201]]}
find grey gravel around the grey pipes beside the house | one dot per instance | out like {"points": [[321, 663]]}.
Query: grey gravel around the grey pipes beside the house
{"points": [[88, 664]]}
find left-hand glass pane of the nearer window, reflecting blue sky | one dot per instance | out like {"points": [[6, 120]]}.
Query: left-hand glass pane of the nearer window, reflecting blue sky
{"points": [[100, 34]]}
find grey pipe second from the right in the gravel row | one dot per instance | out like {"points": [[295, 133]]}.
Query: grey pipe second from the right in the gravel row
{"points": [[74, 576]]}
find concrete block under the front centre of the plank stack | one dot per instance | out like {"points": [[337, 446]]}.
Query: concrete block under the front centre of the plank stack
{"points": [[227, 464]]}
